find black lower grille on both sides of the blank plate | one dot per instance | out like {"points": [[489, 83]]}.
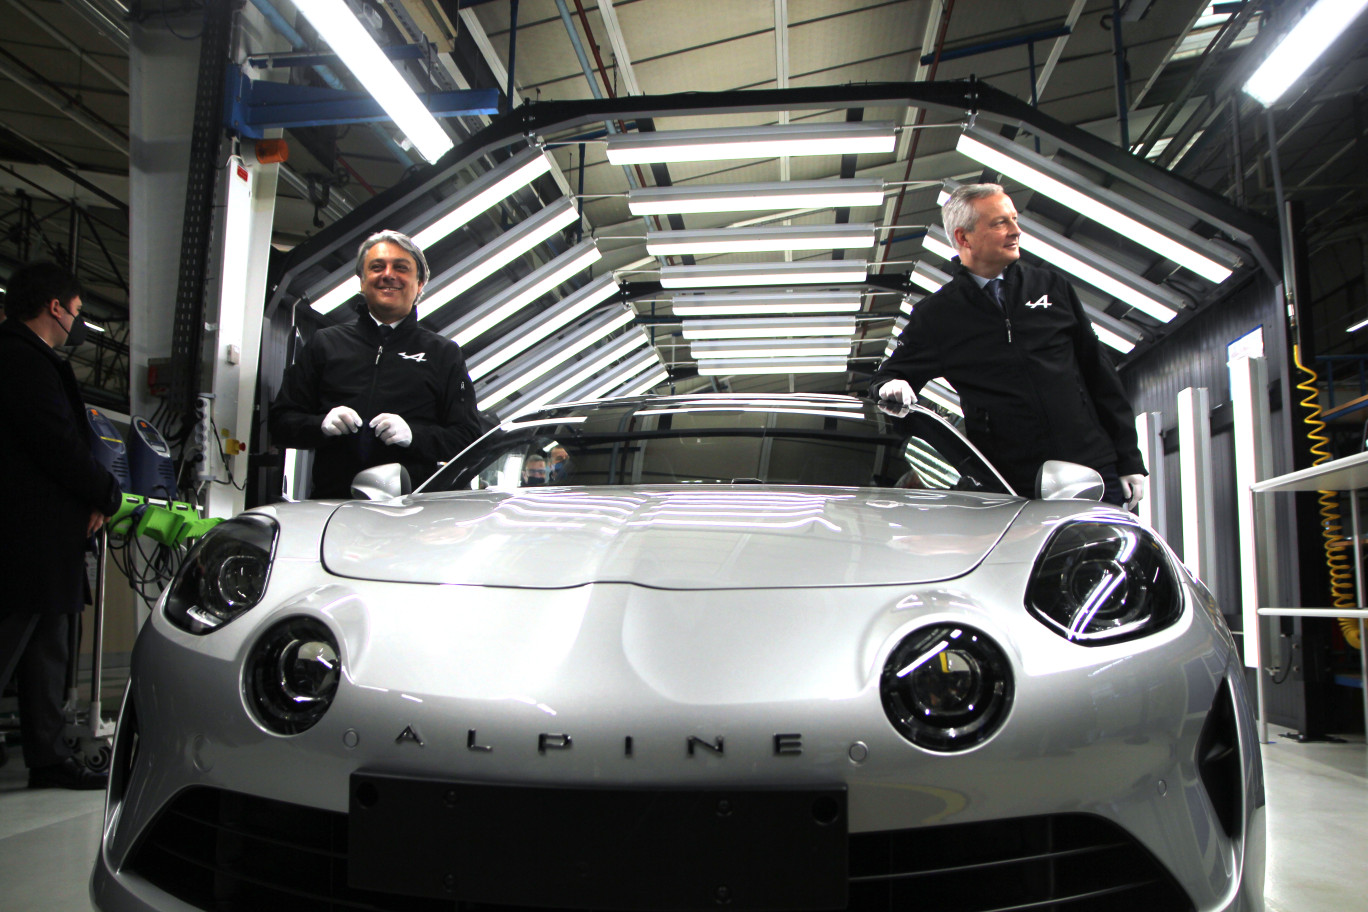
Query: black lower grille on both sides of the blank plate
{"points": [[222, 851]]}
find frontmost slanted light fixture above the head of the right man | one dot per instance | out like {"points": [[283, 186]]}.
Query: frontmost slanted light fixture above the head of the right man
{"points": [[1099, 204]]}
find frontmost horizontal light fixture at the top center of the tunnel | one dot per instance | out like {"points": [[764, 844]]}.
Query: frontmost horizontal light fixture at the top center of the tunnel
{"points": [[752, 143]]}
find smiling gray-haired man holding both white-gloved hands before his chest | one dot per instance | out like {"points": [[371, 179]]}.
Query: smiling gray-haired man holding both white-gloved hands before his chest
{"points": [[380, 389]]}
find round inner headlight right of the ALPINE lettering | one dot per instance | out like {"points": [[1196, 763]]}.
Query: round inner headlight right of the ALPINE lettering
{"points": [[947, 687]]}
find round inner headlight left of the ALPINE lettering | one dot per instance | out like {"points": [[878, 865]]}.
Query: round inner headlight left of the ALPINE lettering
{"points": [[292, 675]]}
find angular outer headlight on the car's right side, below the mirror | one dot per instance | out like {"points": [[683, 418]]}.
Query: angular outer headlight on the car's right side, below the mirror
{"points": [[1101, 583]]}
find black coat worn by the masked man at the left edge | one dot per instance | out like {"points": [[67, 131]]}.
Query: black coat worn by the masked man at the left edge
{"points": [[50, 481]]}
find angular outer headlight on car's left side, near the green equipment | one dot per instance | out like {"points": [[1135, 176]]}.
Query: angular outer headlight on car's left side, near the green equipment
{"points": [[224, 576]]}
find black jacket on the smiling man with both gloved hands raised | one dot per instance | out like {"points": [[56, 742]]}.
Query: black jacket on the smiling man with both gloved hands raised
{"points": [[419, 377]]}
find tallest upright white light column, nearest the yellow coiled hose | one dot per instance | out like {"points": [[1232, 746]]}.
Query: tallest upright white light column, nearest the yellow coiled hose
{"points": [[1254, 463]]}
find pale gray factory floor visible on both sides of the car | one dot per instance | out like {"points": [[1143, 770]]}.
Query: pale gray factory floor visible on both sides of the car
{"points": [[1318, 825]]}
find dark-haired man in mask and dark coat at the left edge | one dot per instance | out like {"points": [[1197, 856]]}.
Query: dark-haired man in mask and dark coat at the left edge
{"points": [[57, 496]]}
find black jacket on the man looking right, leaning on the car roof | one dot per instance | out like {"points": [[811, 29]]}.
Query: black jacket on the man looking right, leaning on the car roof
{"points": [[1032, 378]]}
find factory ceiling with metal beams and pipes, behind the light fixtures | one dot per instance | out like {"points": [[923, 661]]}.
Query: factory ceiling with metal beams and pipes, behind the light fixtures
{"points": [[1043, 75]]}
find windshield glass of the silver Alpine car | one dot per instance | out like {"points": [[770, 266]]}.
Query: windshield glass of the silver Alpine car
{"points": [[838, 441]]}
